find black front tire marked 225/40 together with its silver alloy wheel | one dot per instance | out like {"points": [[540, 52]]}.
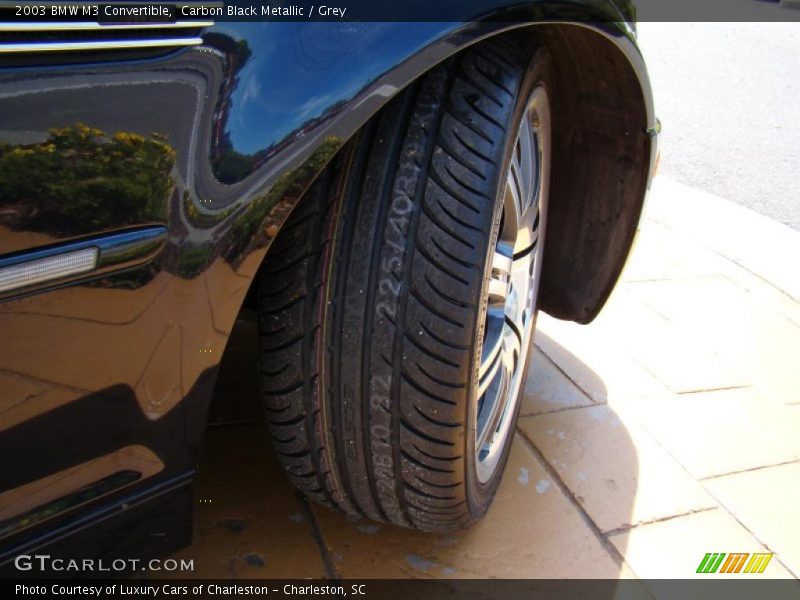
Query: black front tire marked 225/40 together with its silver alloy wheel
{"points": [[379, 304]]}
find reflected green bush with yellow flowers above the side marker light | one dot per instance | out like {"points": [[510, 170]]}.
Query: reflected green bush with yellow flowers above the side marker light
{"points": [[81, 181]]}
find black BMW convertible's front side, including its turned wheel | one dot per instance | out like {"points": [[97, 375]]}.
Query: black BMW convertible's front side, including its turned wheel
{"points": [[396, 200]]}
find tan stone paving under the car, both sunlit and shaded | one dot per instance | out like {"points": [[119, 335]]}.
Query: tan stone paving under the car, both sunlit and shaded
{"points": [[668, 428]]}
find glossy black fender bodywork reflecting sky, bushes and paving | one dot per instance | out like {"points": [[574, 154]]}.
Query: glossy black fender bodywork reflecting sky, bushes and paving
{"points": [[211, 148]]}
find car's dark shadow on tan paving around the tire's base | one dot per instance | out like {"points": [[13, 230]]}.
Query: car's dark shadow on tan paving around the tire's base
{"points": [[556, 503]]}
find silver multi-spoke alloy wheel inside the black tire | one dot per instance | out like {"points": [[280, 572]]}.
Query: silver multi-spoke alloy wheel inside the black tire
{"points": [[512, 287]]}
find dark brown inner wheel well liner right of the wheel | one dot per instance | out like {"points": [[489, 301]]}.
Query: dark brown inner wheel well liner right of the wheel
{"points": [[600, 170]]}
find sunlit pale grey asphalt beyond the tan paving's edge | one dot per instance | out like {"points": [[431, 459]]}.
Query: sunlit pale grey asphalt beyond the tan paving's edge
{"points": [[726, 94]]}
